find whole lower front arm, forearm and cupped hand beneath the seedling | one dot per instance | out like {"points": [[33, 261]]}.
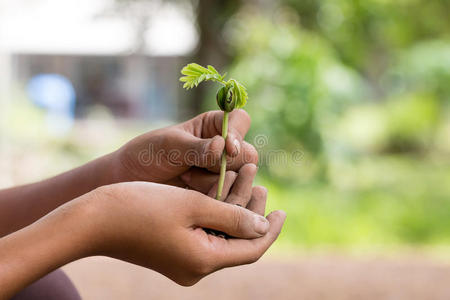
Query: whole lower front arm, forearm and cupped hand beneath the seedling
{"points": [[152, 225]]}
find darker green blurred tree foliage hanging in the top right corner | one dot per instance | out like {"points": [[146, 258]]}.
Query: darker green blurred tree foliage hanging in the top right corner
{"points": [[367, 34]]}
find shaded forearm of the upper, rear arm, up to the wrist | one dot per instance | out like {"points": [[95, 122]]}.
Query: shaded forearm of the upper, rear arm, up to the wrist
{"points": [[21, 206]]}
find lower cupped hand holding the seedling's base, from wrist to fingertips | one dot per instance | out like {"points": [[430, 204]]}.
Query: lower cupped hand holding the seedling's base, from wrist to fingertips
{"points": [[160, 227]]}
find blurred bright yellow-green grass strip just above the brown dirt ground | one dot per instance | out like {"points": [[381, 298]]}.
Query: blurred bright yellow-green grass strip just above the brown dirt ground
{"points": [[380, 202]]}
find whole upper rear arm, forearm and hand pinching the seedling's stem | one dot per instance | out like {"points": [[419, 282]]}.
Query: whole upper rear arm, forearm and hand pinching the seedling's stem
{"points": [[197, 142]]}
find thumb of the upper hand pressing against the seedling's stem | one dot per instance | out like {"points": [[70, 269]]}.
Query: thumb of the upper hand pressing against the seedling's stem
{"points": [[198, 152]]}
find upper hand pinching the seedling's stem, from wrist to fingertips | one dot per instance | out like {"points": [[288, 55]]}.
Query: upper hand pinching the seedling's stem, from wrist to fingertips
{"points": [[163, 155]]}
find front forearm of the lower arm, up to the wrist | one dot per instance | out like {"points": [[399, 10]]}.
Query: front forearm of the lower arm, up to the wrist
{"points": [[55, 240]]}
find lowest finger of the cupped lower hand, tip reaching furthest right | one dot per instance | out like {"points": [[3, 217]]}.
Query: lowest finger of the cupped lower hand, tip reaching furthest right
{"points": [[234, 252]]}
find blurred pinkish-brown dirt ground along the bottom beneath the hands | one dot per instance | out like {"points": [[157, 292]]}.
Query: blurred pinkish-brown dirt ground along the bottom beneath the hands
{"points": [[324, 277]]}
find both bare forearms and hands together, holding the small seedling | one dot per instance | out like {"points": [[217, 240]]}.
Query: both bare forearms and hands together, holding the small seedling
{"points": [[156, 225]]}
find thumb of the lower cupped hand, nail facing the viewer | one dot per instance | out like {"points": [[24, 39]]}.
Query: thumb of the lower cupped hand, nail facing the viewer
{"points": [[231, 219]]}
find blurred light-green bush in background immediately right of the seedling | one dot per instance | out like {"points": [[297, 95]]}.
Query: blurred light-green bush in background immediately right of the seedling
{"points": [[283, 69]]}
